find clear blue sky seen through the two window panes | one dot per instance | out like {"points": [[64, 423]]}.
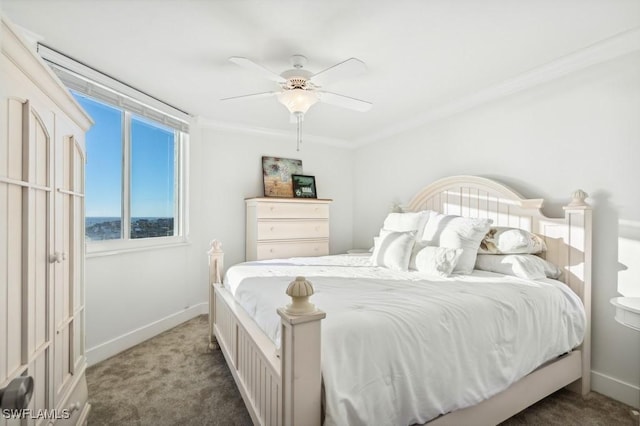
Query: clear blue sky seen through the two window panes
{"points": [[152, 164]]}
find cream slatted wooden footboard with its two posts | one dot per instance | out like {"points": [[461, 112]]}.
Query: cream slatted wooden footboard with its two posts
{"points": [[278, 389]]}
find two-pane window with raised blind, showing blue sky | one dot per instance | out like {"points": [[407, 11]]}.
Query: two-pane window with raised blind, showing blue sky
{"points": [[134, 193]]}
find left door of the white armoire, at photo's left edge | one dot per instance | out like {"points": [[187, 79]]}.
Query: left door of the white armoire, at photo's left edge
{"points": [[25, 241]]}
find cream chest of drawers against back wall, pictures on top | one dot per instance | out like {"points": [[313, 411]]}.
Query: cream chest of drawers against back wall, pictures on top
{"points": [[286, 227]]}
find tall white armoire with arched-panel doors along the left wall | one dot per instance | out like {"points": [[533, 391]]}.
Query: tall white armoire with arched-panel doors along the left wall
{"points": [[41, 236]]}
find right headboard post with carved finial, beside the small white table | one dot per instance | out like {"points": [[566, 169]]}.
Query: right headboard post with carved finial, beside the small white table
{"points": [[578, 216]]}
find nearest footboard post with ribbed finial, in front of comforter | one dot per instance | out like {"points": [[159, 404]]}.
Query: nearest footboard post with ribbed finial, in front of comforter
{"points": [[300, 358]]}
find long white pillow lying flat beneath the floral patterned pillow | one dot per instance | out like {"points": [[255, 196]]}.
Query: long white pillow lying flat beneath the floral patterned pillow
{"points": [[527, 266]]}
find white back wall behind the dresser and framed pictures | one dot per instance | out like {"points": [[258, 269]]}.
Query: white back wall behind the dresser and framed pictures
{"points": [[232, 171]]}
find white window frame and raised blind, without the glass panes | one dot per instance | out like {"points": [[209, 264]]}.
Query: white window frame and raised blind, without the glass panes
{"points": [[75, 76]]}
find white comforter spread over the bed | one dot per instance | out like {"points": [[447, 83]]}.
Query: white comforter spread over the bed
{"points": [[400, 348]]}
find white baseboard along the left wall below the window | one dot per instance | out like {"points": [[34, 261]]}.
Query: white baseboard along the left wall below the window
{"points": [[114, 346]]}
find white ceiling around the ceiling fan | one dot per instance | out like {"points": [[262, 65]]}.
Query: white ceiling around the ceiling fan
{"points": [[421, 55]]}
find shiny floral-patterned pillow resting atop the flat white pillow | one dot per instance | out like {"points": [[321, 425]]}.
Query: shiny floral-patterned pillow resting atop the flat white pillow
{"points": [[503, 240]]}
